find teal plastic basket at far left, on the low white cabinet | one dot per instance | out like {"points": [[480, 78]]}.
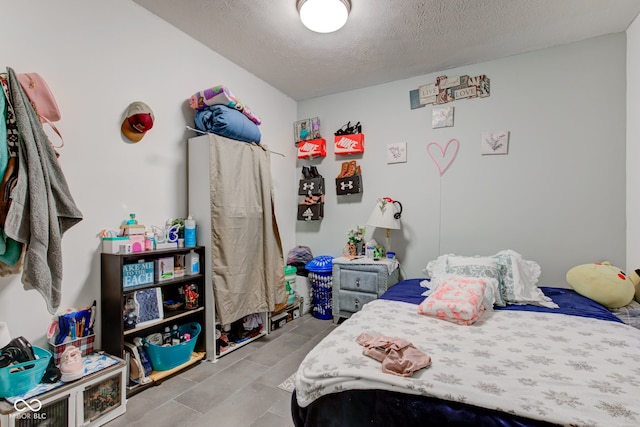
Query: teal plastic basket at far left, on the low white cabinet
{"points": [[22, 377]]}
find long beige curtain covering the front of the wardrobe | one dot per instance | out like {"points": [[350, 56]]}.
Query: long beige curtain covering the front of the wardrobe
{"points": [[247, 264]]}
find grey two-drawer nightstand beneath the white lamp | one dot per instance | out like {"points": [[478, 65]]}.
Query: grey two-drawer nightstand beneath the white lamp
{"points": [[356, 281]]}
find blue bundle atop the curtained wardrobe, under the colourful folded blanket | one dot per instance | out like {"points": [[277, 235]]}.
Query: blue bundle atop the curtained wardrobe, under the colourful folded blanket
{"points": [[227, 122]]}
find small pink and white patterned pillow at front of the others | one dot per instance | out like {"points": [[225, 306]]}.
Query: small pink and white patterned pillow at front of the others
{"points": [[457, 299]]}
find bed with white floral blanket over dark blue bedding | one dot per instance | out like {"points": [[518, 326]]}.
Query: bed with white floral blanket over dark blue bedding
{"points": [[518, 365]]}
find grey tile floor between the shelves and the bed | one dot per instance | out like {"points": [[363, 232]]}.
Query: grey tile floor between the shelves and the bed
{"points": [[240, 389]]}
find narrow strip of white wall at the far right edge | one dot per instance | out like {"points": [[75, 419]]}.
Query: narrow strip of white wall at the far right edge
{"points": [[633, 146]]}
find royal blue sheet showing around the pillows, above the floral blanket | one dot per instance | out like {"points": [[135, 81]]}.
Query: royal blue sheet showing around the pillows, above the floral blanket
{"points": [[570, 301]]}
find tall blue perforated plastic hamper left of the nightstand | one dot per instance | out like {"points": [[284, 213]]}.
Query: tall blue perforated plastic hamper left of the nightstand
{"points": [[321, 281]]}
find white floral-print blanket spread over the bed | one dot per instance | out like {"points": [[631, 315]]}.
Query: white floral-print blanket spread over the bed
{"points": [[568, 370]]}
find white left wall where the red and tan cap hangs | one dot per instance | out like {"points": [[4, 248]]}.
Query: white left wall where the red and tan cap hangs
{"points": [[98, 57]]}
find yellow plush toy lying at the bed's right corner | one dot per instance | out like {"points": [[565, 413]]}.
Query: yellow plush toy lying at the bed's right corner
{"points": [[603, 283]]}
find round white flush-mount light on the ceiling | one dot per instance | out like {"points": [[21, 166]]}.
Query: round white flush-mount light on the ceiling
{"points": [[324, 16]]}
